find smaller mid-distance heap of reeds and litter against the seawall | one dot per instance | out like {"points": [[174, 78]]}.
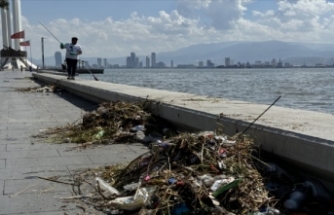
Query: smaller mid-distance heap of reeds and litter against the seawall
{"points": [[113, 122]]}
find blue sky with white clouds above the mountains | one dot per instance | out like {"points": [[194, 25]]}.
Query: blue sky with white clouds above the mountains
{"points": [[114, 28]]}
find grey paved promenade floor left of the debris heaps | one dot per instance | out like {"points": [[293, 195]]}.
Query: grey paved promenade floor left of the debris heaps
{"points": [[22, 157]]}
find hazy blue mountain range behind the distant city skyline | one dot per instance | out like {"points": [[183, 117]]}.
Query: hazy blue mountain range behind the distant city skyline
{"points": [[293, 53]]}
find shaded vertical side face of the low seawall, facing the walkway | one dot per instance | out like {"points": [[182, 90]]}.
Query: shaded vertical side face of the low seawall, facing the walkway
{"points": [[309, 154]]}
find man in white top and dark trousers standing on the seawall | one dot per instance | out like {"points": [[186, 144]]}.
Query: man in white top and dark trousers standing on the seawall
{"points": [[72, 51]]}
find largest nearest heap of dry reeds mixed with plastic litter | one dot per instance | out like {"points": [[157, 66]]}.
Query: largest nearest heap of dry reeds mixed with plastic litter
{"points": [[190, 173]]}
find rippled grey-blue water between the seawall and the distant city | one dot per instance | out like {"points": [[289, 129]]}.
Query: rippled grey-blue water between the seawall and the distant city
{"points": [[302, 88]]}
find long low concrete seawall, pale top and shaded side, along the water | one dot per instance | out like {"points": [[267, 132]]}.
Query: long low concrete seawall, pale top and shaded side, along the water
{"points": [[303, 138]]}
